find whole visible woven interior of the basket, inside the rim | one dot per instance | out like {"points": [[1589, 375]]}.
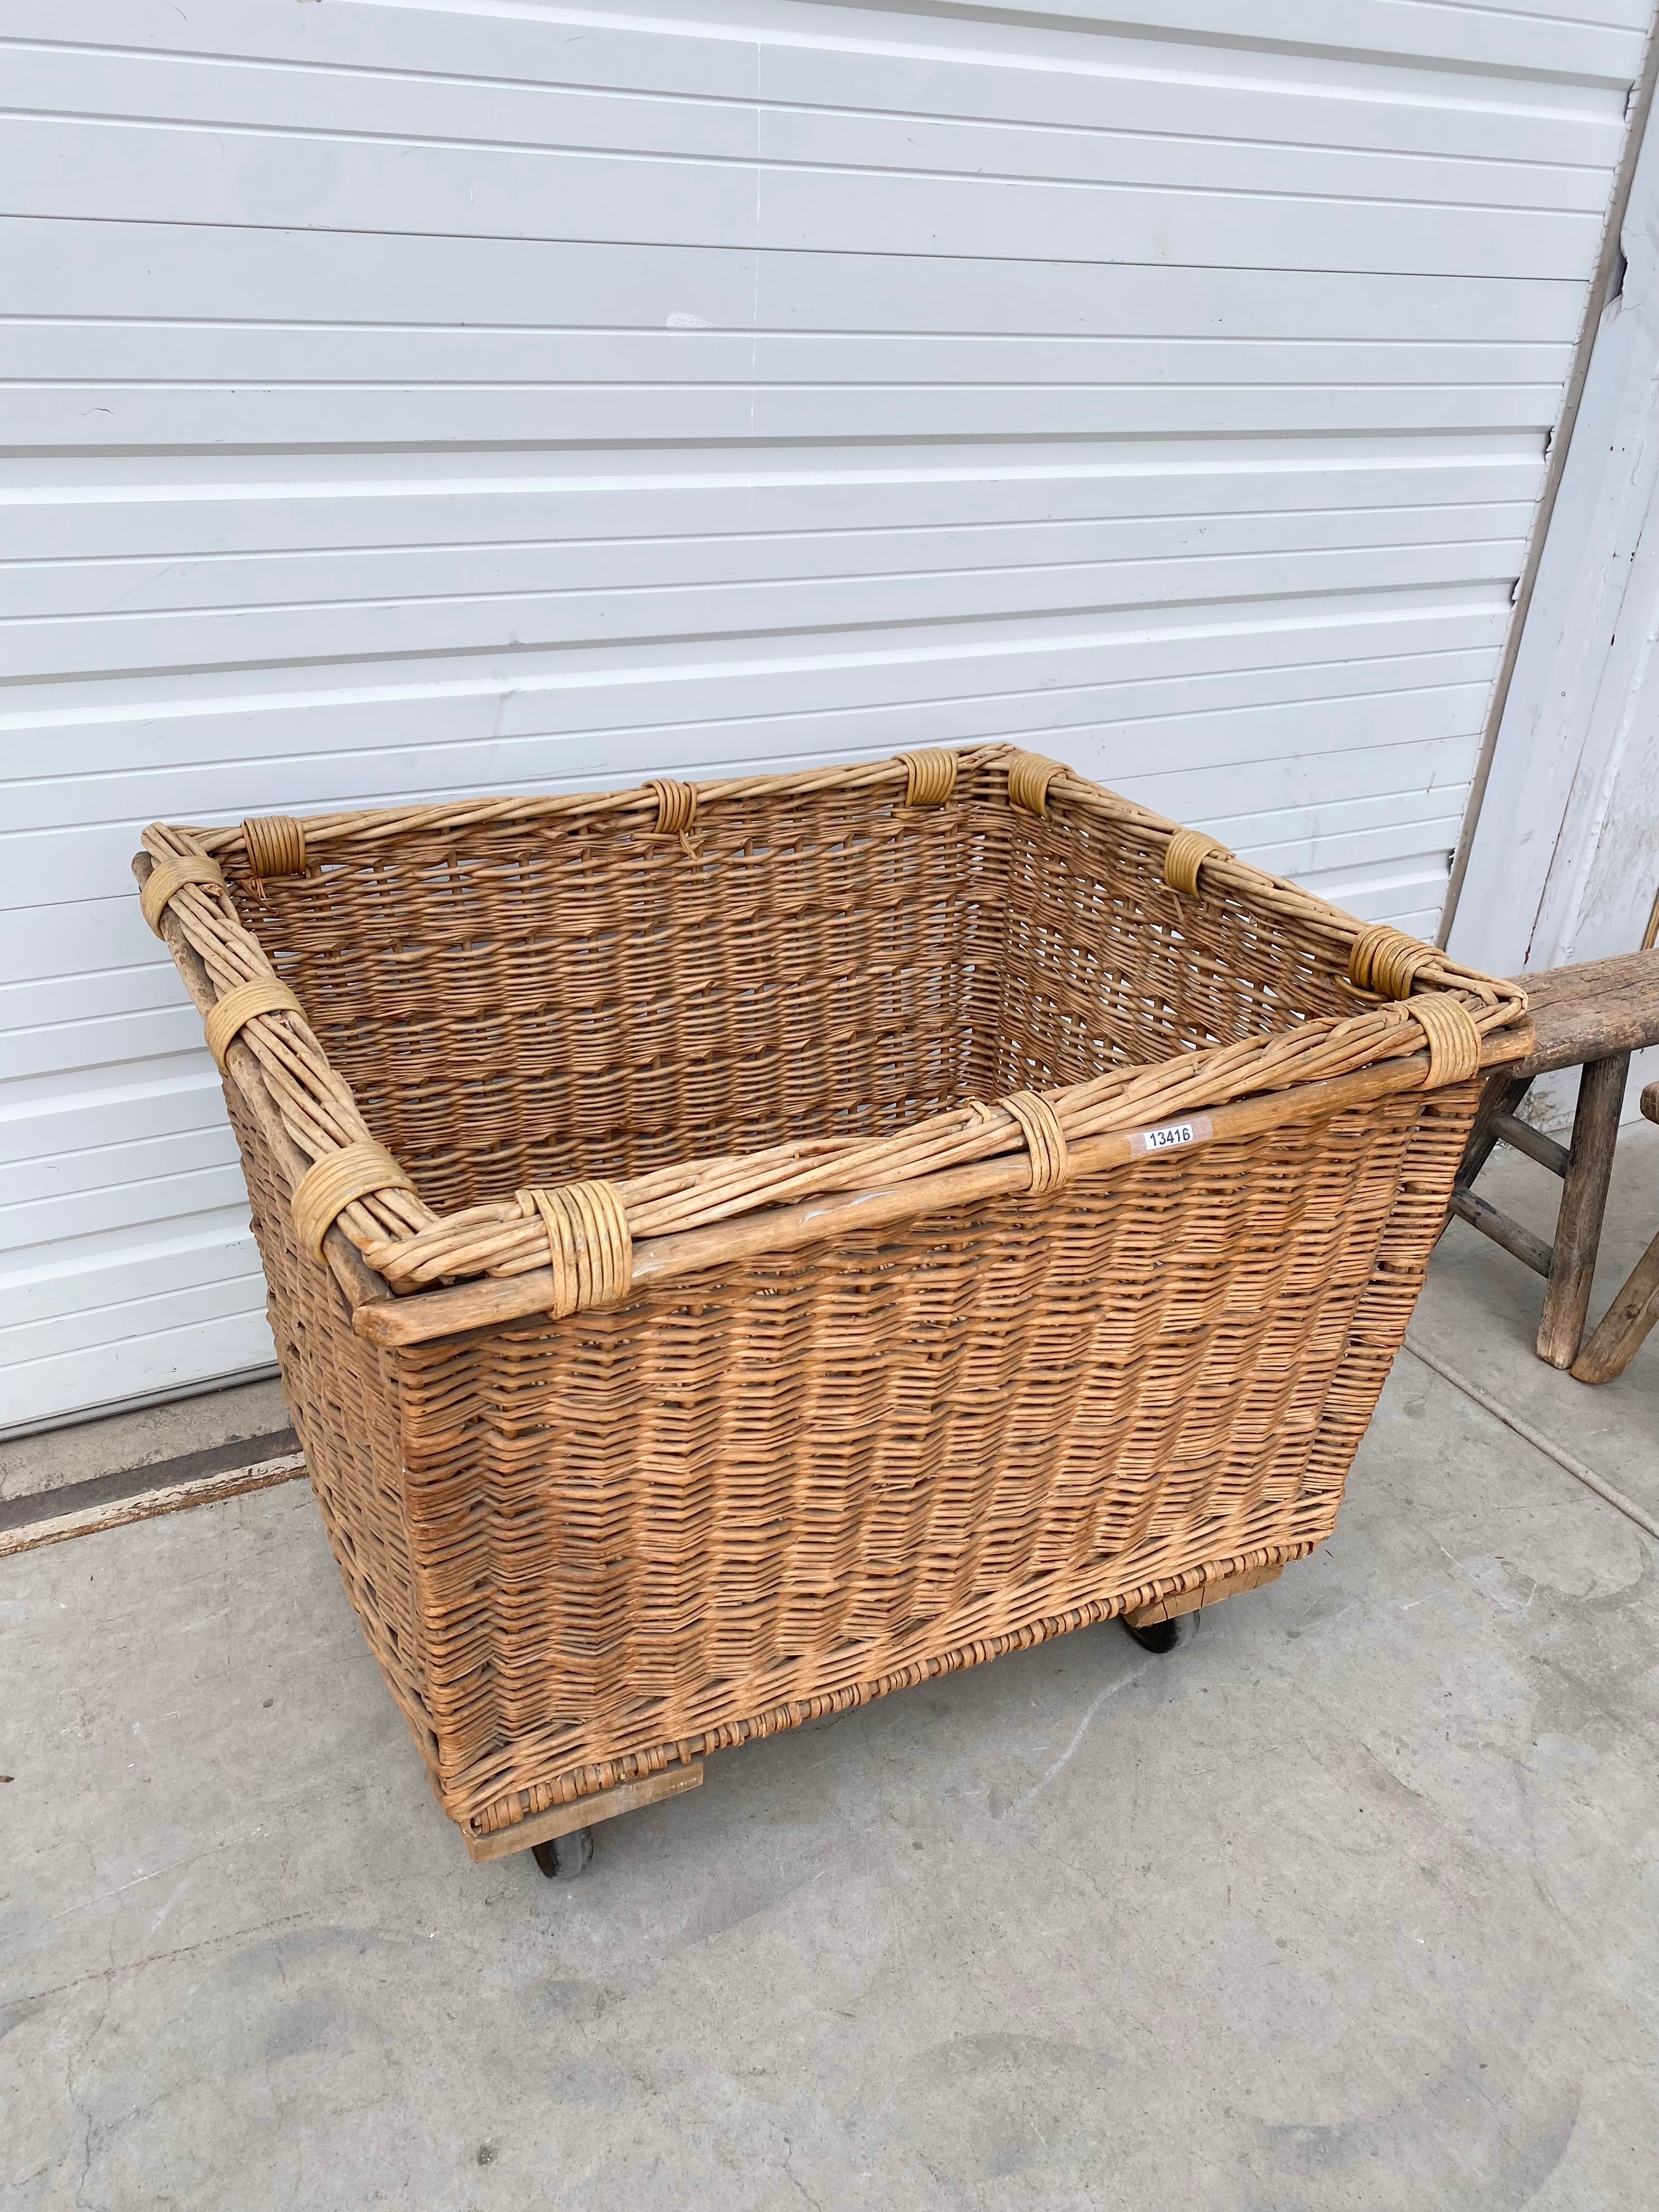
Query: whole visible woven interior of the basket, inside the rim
{"points": [[525, 1003]]}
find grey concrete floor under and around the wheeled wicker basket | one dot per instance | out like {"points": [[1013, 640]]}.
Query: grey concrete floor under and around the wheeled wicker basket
{"points": [[1350, 1903]]}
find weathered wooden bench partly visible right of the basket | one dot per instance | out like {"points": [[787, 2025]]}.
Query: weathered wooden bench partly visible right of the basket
{"points": [[1592, 1016]]}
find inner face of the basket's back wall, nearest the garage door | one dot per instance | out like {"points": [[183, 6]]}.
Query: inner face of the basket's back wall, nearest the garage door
{"points": [[525, 1003]]}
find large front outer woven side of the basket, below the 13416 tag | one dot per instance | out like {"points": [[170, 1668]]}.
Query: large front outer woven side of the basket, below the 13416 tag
{"points": [[660, 1530]]}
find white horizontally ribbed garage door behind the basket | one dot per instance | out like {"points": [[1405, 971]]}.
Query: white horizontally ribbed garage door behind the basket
{"points": [[426, 399]]}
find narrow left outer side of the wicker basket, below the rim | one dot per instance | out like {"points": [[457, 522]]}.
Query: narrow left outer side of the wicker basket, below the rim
{"points": [[346, 1417]]}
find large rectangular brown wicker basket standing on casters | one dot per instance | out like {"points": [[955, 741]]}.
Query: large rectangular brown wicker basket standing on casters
{"points": [[742, 1249]]}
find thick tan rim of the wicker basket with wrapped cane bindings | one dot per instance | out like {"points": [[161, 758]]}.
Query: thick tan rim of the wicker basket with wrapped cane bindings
{"points": [[483, 1264]]}
